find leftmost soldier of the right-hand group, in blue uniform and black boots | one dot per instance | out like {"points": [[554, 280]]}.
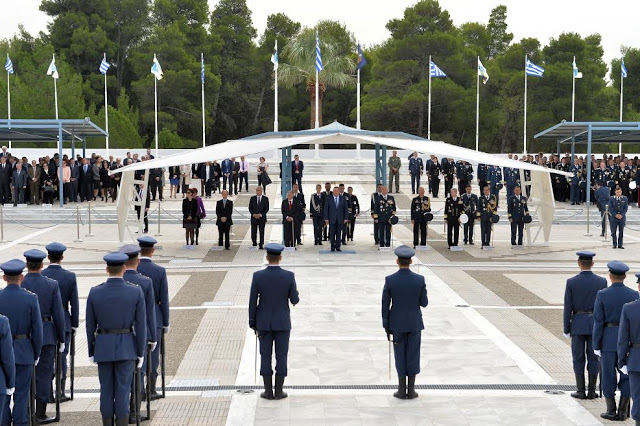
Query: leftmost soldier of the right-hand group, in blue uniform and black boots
{"points": [[579, 298]]}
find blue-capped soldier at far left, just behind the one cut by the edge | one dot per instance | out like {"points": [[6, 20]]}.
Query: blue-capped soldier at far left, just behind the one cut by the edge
{"points": [[21, 308]]}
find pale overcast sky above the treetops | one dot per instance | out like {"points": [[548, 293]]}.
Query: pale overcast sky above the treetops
{"points": [[542, 19]]}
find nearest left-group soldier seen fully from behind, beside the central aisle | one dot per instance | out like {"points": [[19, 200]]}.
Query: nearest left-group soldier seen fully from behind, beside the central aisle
{"points": [[116, 338]]}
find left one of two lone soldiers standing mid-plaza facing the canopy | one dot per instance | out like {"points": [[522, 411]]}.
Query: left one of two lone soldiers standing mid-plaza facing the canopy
{"points": [[271, 291]]}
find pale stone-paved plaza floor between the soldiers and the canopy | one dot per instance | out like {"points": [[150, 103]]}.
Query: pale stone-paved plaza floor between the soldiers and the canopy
{"points": [[492, 344]]}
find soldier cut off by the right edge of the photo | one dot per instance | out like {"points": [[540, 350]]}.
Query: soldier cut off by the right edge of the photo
{"points": [[629, 353]]}
